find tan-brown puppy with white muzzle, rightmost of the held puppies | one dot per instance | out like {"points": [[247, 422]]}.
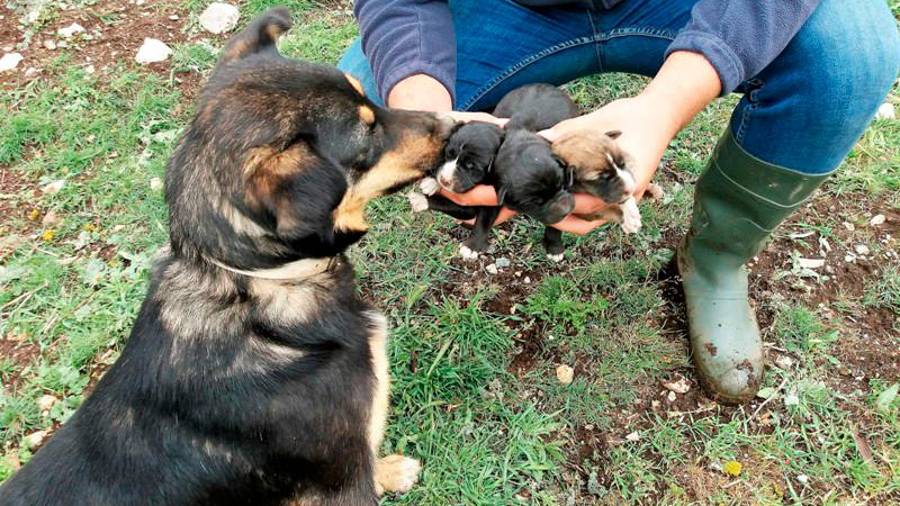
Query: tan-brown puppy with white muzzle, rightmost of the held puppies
{"points": [[602, 169]]}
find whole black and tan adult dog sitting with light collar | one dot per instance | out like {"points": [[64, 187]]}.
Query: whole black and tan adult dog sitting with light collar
{"points": [[254, 374]]}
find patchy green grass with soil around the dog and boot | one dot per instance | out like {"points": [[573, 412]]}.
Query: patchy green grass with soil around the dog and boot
{"points": [[473, 355]]}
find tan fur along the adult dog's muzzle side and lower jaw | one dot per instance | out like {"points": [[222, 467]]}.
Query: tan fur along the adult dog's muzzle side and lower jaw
{"points": [[404, 164]]}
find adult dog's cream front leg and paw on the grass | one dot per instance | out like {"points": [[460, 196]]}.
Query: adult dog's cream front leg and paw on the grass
{"points": [[394, 473]]}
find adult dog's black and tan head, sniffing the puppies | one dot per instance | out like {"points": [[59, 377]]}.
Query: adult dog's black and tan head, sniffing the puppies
{"points": [[283, 155]]}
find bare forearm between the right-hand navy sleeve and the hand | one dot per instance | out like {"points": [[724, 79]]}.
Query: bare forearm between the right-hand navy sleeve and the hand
{"points": [[684, 85]]}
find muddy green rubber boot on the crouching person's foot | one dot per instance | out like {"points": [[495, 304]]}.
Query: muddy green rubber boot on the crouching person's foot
{"points": [[738, 201]]}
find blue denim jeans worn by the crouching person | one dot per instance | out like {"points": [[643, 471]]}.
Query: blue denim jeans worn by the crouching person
{"points": [[805, 111]]}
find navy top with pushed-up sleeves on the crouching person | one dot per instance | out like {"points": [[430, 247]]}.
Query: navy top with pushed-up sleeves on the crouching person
{"points": [[738, 37]]}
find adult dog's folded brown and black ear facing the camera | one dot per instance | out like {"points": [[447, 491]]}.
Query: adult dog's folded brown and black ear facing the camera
{"points": [[297, 189]]}
